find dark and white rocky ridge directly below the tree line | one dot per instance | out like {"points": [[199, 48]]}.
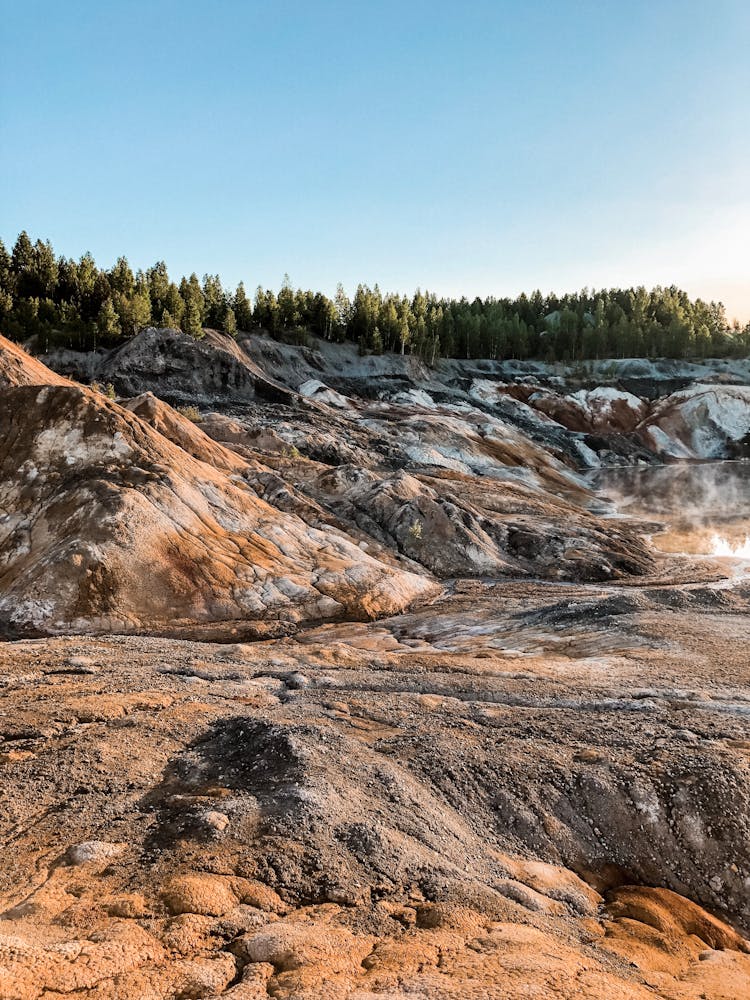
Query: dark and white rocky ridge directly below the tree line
{"points": [[606, 412]]}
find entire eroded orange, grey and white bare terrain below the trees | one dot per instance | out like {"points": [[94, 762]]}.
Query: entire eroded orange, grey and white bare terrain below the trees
{"points": [[353, 687]]}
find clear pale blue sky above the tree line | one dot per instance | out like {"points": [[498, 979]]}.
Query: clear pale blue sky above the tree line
{"points": [[468, 148]]}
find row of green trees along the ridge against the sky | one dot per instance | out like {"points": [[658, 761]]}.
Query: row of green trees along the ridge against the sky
{"points": [[60, 301]]}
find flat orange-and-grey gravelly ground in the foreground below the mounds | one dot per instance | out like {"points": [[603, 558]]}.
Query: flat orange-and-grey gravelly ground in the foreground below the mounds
{"points": [[488, 797]]}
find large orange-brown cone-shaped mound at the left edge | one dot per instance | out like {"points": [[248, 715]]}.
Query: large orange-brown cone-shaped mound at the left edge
{"points": [[110, 526]]}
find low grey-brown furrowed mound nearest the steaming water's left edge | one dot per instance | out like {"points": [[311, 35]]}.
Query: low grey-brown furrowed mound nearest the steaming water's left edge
{"points": [[455, 525]]}
